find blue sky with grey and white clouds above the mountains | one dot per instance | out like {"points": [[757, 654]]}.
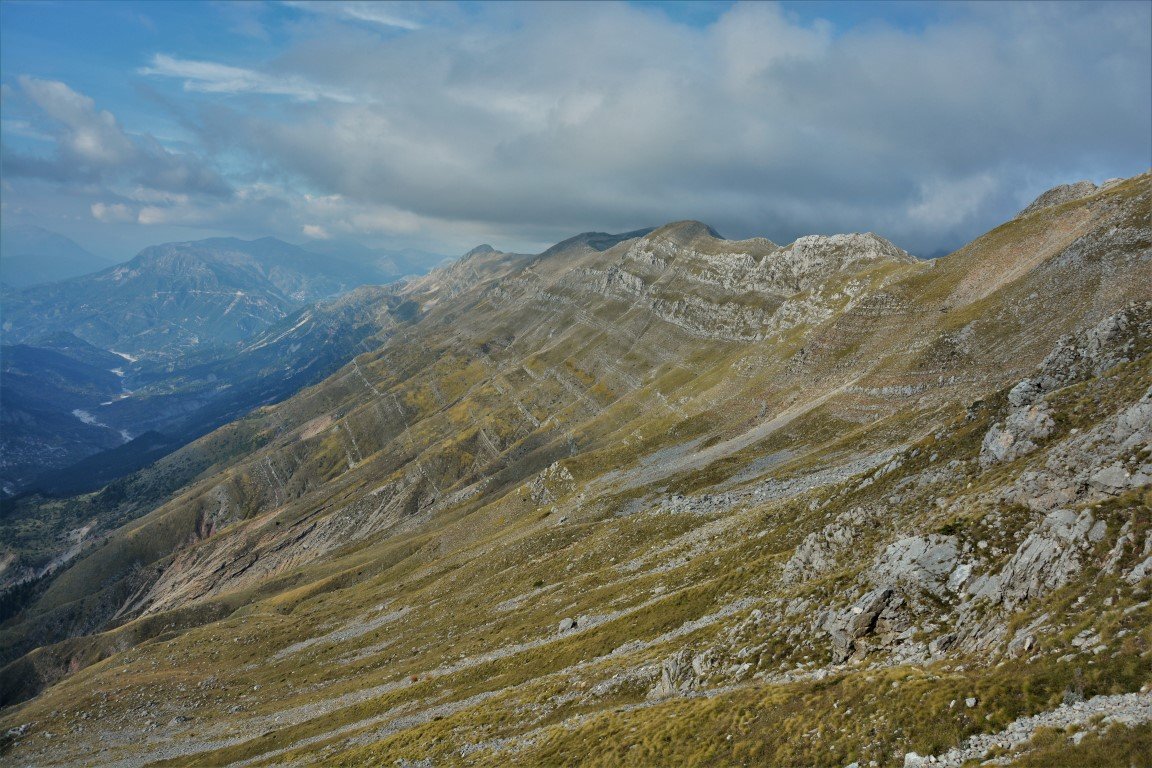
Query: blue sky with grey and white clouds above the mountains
{"points": [[442, 126]]}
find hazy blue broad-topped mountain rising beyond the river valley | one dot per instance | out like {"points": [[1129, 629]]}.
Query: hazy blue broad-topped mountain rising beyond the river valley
{"points": [[178, 296]]}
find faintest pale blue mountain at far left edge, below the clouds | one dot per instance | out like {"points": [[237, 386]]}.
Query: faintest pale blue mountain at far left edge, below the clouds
{"points": [[31, 256]]}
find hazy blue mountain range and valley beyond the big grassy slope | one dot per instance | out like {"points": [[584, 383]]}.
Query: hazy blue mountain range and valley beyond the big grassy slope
{"points": [[105, 372]]}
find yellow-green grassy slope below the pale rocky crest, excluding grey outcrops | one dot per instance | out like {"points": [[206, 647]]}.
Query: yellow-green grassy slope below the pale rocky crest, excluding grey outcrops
{"points": [[487, 579]]}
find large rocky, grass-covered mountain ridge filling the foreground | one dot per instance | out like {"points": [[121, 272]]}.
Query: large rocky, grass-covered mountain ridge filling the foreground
{"points": [[650, 499]]}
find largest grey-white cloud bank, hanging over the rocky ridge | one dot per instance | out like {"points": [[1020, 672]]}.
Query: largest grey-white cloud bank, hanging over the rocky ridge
{"points": [[609, 117]]}
